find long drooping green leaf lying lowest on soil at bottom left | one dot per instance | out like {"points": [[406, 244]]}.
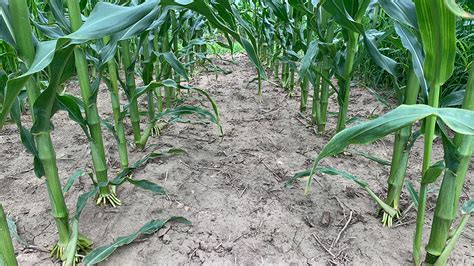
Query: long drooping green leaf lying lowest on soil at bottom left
{"points": [[101, 253]]}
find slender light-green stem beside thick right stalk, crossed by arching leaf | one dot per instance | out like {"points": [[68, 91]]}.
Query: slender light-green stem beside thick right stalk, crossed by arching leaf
{"points": [[430, 124]]}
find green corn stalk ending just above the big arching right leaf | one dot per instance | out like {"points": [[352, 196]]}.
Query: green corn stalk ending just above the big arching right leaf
{"points": [[345, 84]]}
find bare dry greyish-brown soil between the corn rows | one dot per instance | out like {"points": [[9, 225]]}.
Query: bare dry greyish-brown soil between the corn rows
{"points": [[230, 187]]}
